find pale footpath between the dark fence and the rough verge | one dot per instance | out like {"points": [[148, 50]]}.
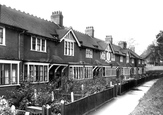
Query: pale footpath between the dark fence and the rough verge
{"points": [[125, 104]]}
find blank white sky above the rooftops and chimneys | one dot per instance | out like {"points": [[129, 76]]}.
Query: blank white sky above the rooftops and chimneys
{"points": [[139, 20]]}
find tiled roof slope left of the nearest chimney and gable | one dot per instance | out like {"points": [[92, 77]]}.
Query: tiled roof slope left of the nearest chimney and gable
{"points": [[28, 22]]}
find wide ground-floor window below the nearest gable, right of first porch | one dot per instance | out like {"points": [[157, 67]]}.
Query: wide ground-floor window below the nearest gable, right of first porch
{"points": [[79, 72]]}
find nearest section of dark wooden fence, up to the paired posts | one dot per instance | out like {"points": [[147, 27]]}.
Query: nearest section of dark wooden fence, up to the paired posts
{"points": [[86, 104]]}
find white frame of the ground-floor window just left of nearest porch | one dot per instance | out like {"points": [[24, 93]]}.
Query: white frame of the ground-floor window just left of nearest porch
{"points": [[36, 64]]}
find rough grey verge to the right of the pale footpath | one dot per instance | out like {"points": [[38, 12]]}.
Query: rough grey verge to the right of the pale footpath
{"points": [[152, 102]]}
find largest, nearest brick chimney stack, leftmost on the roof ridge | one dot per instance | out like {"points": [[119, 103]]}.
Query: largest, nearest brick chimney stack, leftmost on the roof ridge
{"points": [[57, 18]]}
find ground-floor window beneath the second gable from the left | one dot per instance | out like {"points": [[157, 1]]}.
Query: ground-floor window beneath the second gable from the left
{"points": [[108, 71]]}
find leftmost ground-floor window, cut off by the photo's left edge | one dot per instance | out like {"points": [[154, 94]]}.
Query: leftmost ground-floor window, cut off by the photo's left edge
{"points": [[9, 72]]}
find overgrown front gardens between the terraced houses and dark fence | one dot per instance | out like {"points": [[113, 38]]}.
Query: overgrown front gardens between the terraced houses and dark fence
{"points": [[26, 94]]}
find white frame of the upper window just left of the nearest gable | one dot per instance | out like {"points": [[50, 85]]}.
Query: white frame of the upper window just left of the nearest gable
{"points": [[36, 46]]}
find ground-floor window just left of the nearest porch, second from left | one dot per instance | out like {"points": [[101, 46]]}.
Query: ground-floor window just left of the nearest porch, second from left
{"points": [[36, 72]]}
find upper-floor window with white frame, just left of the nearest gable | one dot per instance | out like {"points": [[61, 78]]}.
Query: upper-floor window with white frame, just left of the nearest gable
{"points": [[38, 44]]}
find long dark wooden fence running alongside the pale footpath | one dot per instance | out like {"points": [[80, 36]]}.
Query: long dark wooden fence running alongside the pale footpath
{"points": [[86, 104]]}
